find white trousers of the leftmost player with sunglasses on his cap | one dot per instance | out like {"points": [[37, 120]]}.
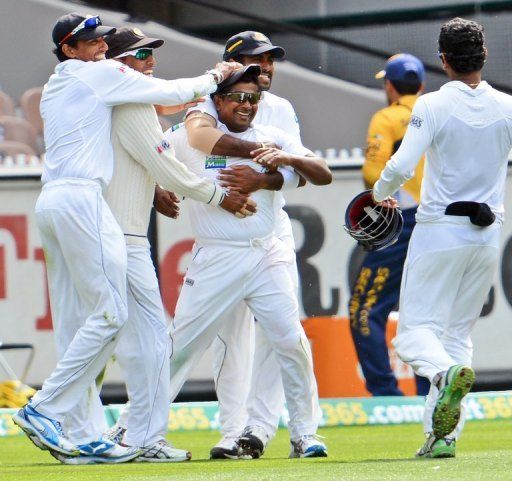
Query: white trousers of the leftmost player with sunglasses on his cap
{"points": [[86, 265]]}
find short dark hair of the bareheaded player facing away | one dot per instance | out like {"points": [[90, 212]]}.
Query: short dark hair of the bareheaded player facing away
{"points": [[462, 43]]}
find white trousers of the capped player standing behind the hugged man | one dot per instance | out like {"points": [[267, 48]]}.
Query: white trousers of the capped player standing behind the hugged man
{"points": [[247, 376]]}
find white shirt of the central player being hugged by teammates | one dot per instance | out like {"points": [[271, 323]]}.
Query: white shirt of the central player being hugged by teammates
{"points": [[213, 223]]}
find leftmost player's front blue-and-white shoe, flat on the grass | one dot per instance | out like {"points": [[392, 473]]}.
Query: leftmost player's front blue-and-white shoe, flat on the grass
{"points": [[102, 451]]}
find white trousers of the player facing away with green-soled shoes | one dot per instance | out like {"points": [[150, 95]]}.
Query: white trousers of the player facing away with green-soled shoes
{"points": [[447, 276]]}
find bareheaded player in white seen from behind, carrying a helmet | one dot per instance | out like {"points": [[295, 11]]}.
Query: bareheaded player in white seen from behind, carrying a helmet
{"points": [[465, 128]]}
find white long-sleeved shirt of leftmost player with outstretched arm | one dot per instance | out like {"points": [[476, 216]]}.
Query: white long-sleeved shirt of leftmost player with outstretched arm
{"points": [[76, 108]]}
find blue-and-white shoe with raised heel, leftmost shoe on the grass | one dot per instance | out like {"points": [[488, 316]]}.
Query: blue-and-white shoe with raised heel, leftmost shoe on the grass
{"points": [[44, 432]]}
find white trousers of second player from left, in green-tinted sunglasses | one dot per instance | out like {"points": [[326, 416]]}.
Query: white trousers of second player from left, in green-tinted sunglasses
{"points": [[143, 353]]}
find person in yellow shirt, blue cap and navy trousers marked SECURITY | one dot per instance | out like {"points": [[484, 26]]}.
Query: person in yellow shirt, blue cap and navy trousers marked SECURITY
{"points": [[377, 287]]}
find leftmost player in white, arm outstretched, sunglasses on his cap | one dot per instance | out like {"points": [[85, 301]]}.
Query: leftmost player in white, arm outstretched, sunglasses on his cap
{"points": [[84, 246]]}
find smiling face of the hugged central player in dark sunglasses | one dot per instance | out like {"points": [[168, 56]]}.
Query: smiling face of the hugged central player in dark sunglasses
{"points": [[235, 115]]}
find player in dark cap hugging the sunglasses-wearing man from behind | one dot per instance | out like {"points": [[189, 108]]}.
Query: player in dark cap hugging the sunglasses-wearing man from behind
{"points": [[250, 399]]}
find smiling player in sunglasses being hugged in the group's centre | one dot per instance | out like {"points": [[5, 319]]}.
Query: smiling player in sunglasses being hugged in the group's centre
{"points": [[245, 262]]}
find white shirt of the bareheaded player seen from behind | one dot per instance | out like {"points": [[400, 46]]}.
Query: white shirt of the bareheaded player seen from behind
{"points": [[467, 136]]}
